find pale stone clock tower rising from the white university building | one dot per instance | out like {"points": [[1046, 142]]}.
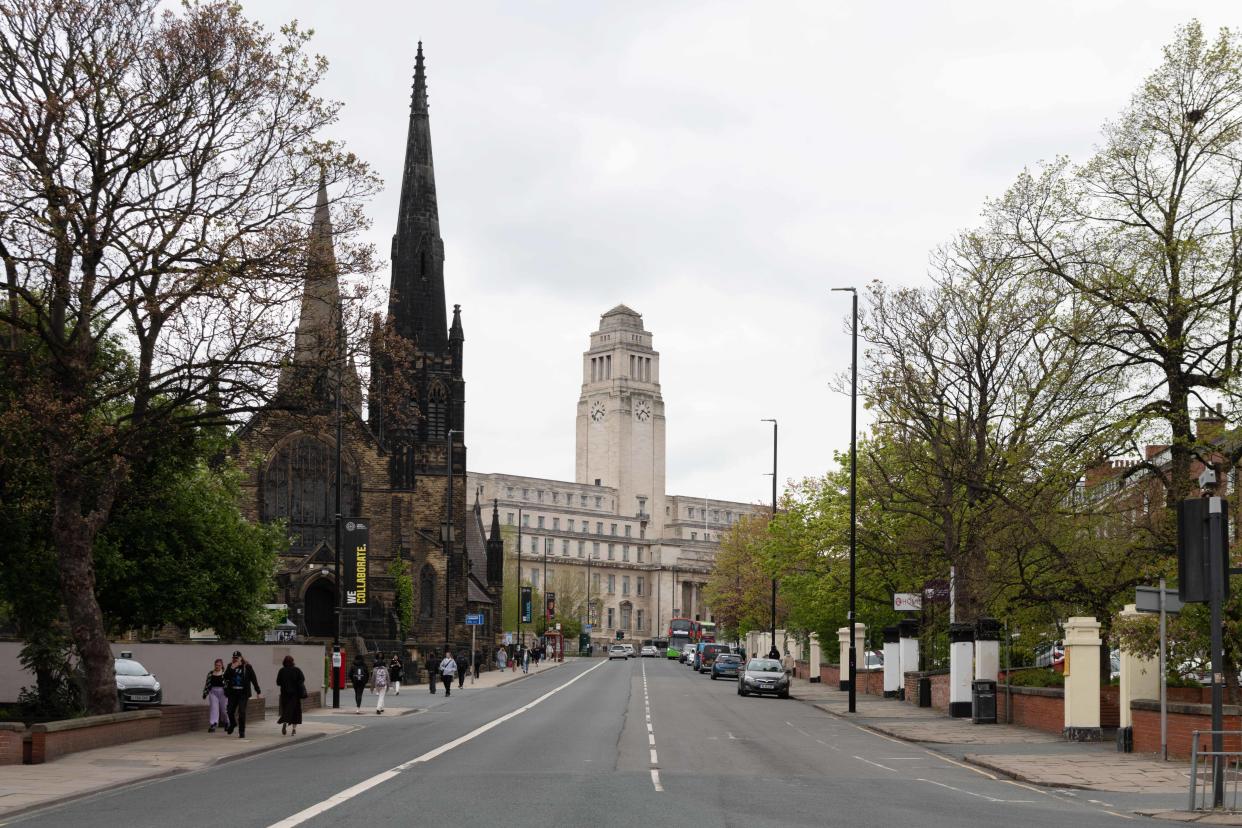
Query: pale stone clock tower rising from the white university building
{"points": [[622, 418]]}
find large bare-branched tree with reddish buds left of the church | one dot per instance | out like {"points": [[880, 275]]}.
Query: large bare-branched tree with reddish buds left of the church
{"points": [[157, 178]]}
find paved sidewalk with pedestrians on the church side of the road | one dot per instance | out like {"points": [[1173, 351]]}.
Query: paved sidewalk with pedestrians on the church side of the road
{"points": [[30, 788]]}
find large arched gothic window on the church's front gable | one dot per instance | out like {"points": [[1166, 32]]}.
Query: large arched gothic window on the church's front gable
{"points": [[300, 487]]}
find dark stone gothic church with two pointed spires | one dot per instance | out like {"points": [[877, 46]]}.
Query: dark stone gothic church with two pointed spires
{"points": [[403, 465]]}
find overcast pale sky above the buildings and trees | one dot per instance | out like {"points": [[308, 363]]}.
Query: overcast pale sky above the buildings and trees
{"points": [[717, 167]]}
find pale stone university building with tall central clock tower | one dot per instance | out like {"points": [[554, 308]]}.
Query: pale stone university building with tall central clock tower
{"points": [[638, 556]]}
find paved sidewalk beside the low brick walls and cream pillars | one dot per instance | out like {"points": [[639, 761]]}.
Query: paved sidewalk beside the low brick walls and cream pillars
{"points": [[1009, 750]]}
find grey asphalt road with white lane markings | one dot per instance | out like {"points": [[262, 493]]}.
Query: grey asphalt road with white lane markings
{"points": [[592, 744]]}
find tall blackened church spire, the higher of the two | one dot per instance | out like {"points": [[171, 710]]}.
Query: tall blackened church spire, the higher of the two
{"points": [[418, 292]]}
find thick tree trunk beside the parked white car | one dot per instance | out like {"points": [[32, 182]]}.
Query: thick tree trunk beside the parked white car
{"points": [[74, 536]]}
